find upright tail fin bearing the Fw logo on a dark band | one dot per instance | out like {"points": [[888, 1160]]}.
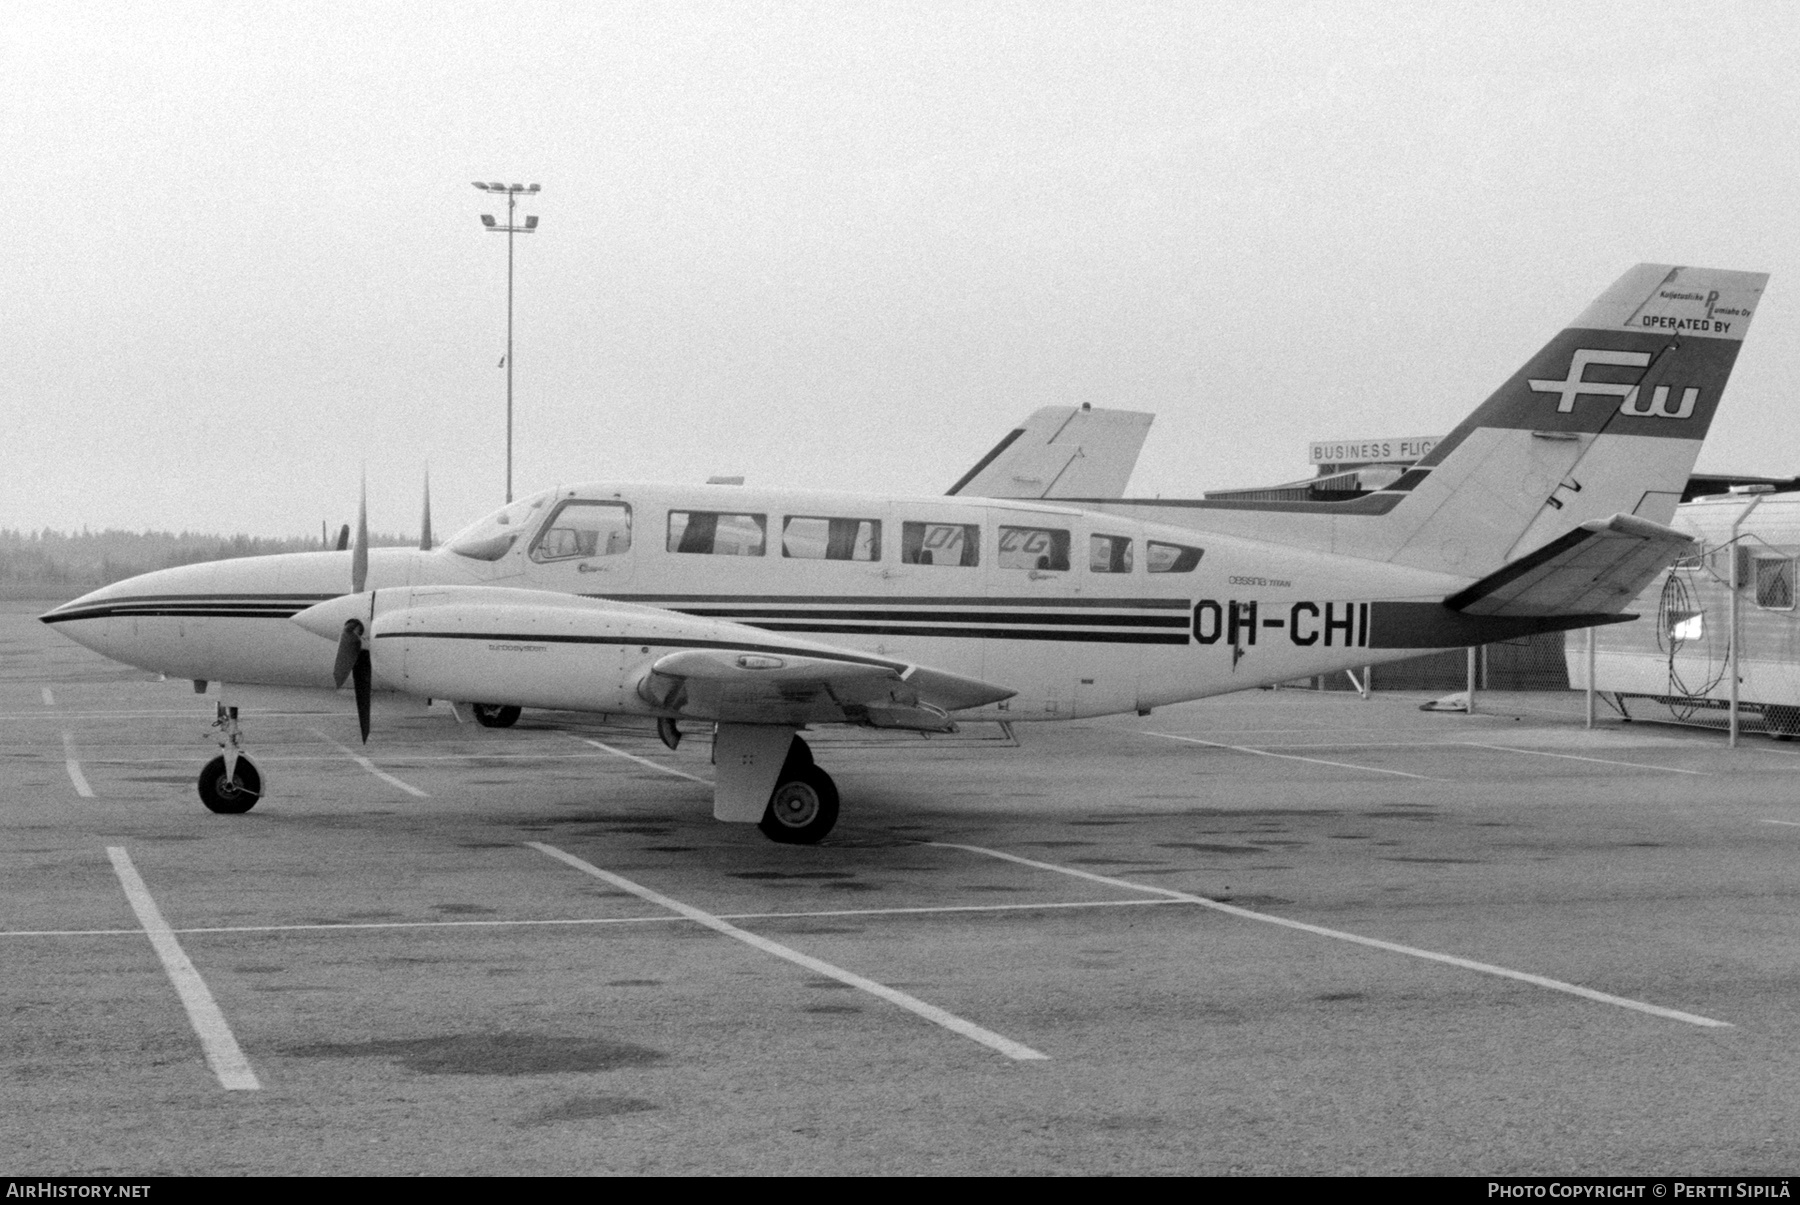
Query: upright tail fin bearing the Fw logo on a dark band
{"points": [[1605, 421]]}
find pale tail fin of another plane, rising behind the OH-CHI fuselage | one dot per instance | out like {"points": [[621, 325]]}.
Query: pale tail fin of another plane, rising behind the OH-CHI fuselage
{"points": [[1061, 451]]}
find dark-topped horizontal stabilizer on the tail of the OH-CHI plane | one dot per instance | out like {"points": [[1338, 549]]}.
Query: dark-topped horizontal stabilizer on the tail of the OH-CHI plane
{"points": [[1594, 570]]}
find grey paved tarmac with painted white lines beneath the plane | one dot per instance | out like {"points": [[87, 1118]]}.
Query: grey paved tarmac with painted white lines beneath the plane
{"points": [[1281, 932]]}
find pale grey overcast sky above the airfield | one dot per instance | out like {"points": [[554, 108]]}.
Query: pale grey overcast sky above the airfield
{"points": [[838, 246]]}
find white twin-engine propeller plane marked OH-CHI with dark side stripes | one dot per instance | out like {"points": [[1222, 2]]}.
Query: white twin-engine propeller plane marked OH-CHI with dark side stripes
{"points": [[766, 612]]}
